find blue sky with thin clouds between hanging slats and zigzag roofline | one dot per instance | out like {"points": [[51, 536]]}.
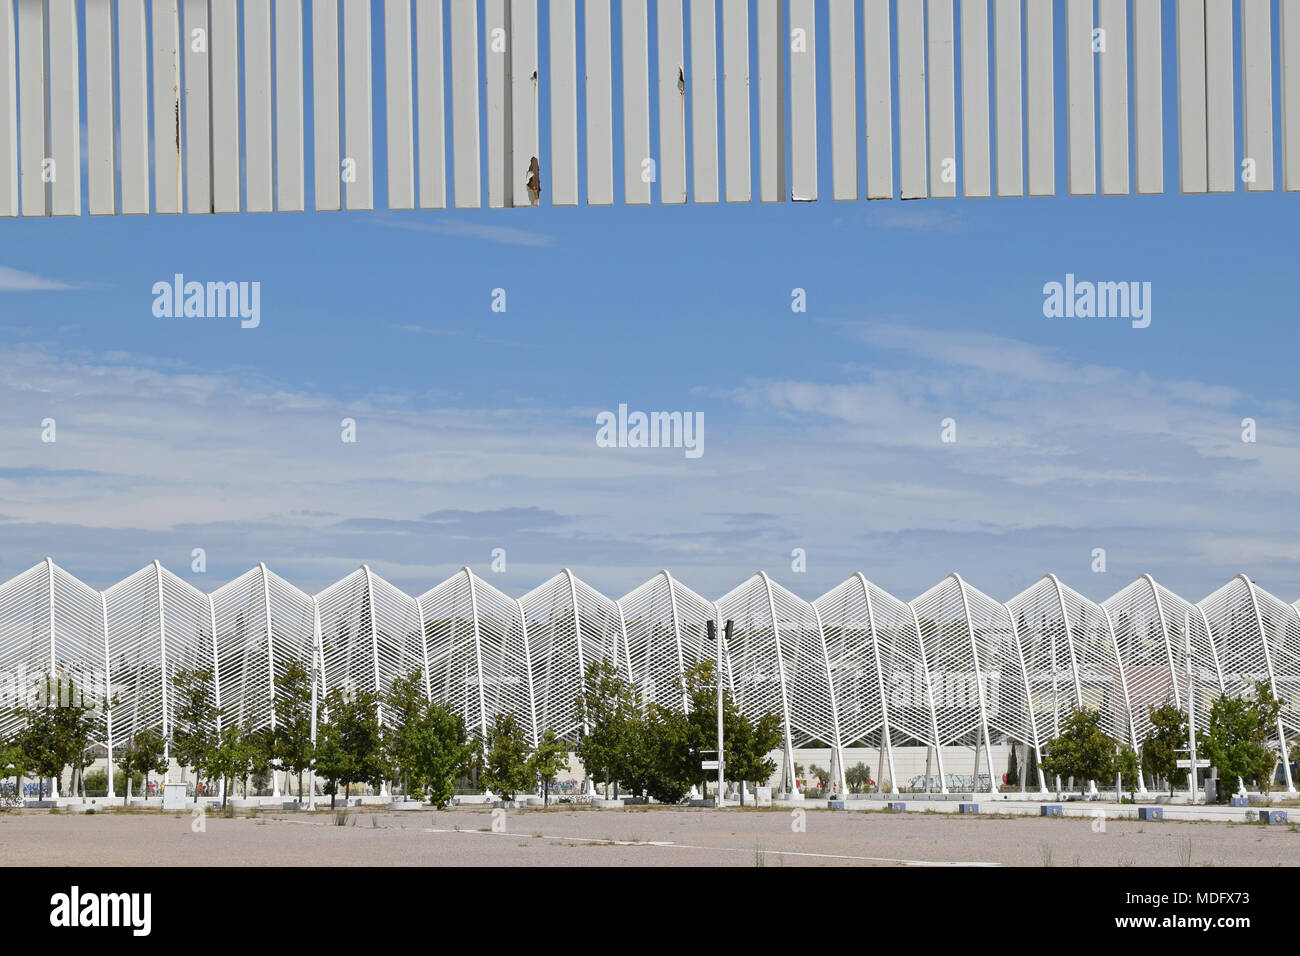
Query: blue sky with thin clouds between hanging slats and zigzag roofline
{"points": [[822, 430]]}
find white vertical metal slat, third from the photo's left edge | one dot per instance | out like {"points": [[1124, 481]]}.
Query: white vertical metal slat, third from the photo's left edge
{"points": [[64, 109]]}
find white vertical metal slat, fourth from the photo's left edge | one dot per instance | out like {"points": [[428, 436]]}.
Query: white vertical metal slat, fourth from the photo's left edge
{"points": [[101, 83]]}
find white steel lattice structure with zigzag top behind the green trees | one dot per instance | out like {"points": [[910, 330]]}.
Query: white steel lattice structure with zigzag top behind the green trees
{"points": [[855, 668]]}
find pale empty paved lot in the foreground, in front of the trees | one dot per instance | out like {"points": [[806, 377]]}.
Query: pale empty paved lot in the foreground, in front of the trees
{"points": [[631, 837]]}
